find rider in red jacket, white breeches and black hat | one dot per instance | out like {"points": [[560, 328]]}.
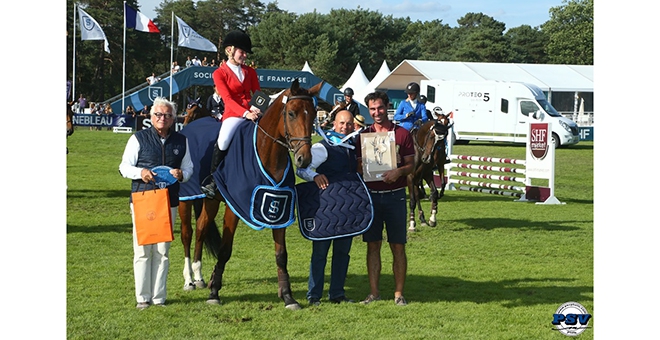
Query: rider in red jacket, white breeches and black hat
{"points": [[235, 83]]}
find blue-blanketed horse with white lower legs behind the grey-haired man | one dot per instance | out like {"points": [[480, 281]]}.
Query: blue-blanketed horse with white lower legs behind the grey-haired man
{"points": [[201, 138]]}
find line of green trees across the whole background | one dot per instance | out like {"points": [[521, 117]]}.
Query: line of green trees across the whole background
{"points": [[331, 43]]}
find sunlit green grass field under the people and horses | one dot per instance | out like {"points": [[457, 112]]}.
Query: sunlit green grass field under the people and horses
{"points": [[492, 268]]}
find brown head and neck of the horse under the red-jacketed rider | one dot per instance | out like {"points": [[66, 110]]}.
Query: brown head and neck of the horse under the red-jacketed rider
{"points": [[290, 121]]}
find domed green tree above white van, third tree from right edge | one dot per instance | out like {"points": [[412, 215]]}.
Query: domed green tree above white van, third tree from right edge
{"points": [[480, 39]]}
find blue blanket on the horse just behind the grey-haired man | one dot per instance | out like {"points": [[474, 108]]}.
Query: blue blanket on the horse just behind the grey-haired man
{"points": [[202, 134]]}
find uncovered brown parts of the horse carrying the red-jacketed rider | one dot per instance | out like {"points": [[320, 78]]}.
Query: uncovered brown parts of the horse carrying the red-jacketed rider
{"points": [[286, 126]]}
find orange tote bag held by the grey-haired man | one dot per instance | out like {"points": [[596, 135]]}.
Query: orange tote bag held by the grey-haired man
{"points": [[153, 216]]}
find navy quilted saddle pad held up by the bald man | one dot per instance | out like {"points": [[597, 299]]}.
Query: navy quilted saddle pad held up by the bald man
{"points": [[343, 209]]}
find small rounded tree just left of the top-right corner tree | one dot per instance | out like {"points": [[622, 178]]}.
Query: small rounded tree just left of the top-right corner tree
{"points": [[527, 45]]}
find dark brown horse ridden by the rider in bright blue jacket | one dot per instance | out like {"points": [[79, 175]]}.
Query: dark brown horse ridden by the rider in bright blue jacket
{"points": [[430, 152]]}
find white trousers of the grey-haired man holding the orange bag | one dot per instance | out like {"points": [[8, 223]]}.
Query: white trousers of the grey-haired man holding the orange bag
{"points": [[151, 264]]}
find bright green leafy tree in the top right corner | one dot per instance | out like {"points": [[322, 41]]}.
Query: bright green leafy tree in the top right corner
{"points": [[570, 32]]}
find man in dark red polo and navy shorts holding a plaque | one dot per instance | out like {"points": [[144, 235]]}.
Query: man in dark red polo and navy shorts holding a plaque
{"points": [[389, 202]]}
